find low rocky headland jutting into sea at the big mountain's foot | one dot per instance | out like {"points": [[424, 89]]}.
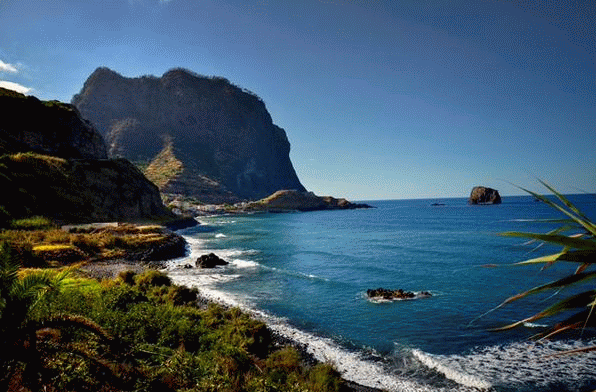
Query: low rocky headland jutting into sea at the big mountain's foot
{"points": [[291, 200]]}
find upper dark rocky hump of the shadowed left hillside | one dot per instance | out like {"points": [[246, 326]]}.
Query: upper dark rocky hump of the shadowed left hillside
{"points": [[46, 127]]}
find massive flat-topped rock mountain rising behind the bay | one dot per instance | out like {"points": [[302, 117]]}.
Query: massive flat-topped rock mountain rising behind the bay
{"points": [[222, 136]]}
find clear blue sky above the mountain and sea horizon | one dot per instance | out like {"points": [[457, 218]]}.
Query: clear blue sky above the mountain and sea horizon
{"points": [[379, 99]]}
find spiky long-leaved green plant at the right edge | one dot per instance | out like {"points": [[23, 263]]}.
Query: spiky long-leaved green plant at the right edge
{"points": [[577, 237]]}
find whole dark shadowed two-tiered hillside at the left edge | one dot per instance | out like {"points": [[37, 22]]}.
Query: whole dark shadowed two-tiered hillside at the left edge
{"points": [[53, 163]]}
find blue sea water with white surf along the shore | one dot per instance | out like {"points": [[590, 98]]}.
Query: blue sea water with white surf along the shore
{"points": [[306, 274]]}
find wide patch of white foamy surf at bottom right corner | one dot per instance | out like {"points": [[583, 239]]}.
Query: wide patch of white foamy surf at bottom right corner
{"points": [[516, 365]]}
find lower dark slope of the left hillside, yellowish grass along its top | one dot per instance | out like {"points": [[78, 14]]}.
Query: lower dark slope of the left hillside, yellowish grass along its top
{"points": [[76, 190]]}
